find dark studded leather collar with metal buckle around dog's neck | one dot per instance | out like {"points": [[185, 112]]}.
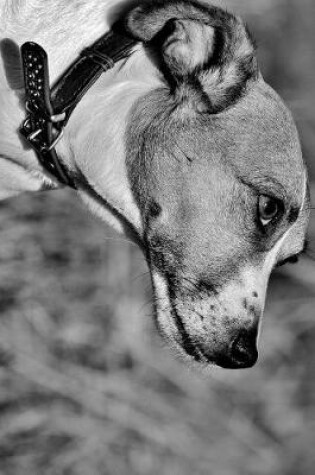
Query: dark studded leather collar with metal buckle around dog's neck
{"points": [[49, 109]]}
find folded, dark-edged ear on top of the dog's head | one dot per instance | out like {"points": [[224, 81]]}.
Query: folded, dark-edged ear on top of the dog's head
{"points": [[205, 53]]}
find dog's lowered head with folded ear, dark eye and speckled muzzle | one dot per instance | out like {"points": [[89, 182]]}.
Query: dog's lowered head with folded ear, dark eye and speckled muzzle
{"points": [[216, 168]]}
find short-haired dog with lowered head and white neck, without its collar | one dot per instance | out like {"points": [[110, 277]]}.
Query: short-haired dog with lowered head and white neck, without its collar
{"points": [[181, 145]]}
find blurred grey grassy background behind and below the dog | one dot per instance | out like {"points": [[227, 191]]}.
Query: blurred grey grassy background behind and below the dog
{"points": [[86, 386]]}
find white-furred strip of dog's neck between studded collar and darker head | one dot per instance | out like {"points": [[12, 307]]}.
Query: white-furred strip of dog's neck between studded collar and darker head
{"points": [[94, 141]]}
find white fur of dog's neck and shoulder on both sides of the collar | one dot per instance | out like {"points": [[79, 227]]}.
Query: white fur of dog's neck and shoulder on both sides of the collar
{"points": [[93, 145]]}
